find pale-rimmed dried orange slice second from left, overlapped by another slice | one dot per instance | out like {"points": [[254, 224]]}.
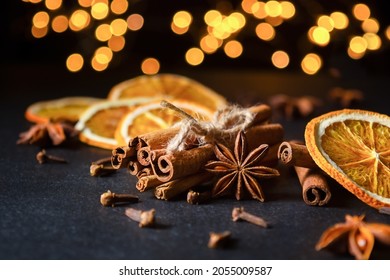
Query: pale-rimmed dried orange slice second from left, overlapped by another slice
{"points": [[98, 123]]}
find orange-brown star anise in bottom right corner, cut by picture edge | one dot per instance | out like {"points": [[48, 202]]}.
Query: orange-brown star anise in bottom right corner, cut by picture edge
{"points": [[360, 235]]}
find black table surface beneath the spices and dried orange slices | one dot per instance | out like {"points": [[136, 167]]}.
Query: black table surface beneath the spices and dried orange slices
{"points": [[52, 211]]}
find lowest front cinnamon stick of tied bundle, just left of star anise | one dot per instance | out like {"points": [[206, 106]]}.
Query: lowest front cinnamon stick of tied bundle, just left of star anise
{"points": [[176, 187]]}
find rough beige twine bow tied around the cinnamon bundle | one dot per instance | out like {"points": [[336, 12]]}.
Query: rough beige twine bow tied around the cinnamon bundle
{"points": [[226, 123]]}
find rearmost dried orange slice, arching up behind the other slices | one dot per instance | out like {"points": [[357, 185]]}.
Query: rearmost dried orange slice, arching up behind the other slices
{"points": [[168, 87]]}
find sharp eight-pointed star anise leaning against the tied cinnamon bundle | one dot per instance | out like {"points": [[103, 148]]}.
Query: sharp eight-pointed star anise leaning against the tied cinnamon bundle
{"points": [[239, 170]]}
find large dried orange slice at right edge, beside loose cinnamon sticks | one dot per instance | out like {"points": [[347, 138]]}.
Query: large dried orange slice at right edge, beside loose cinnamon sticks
{"points": [[353, 147]]}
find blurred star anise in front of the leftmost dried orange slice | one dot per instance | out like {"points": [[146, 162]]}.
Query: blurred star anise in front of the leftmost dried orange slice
{"points": [[46, 134]]}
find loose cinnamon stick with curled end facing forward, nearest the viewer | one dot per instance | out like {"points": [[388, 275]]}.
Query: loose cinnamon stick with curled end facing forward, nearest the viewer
{"points": [[315, 190]]}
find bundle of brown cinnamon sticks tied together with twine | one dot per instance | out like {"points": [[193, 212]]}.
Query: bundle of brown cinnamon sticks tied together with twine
{"points": [[170, 174]]}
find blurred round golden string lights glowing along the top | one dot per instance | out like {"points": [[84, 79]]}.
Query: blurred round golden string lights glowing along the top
{"points": [[113, 22]]}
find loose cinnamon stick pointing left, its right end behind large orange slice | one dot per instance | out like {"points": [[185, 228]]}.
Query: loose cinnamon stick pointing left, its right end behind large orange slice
{"points": [[295, 154]]}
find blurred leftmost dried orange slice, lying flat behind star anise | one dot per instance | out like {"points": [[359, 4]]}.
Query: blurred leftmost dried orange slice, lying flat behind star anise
{"points": [[63, 109]]}
